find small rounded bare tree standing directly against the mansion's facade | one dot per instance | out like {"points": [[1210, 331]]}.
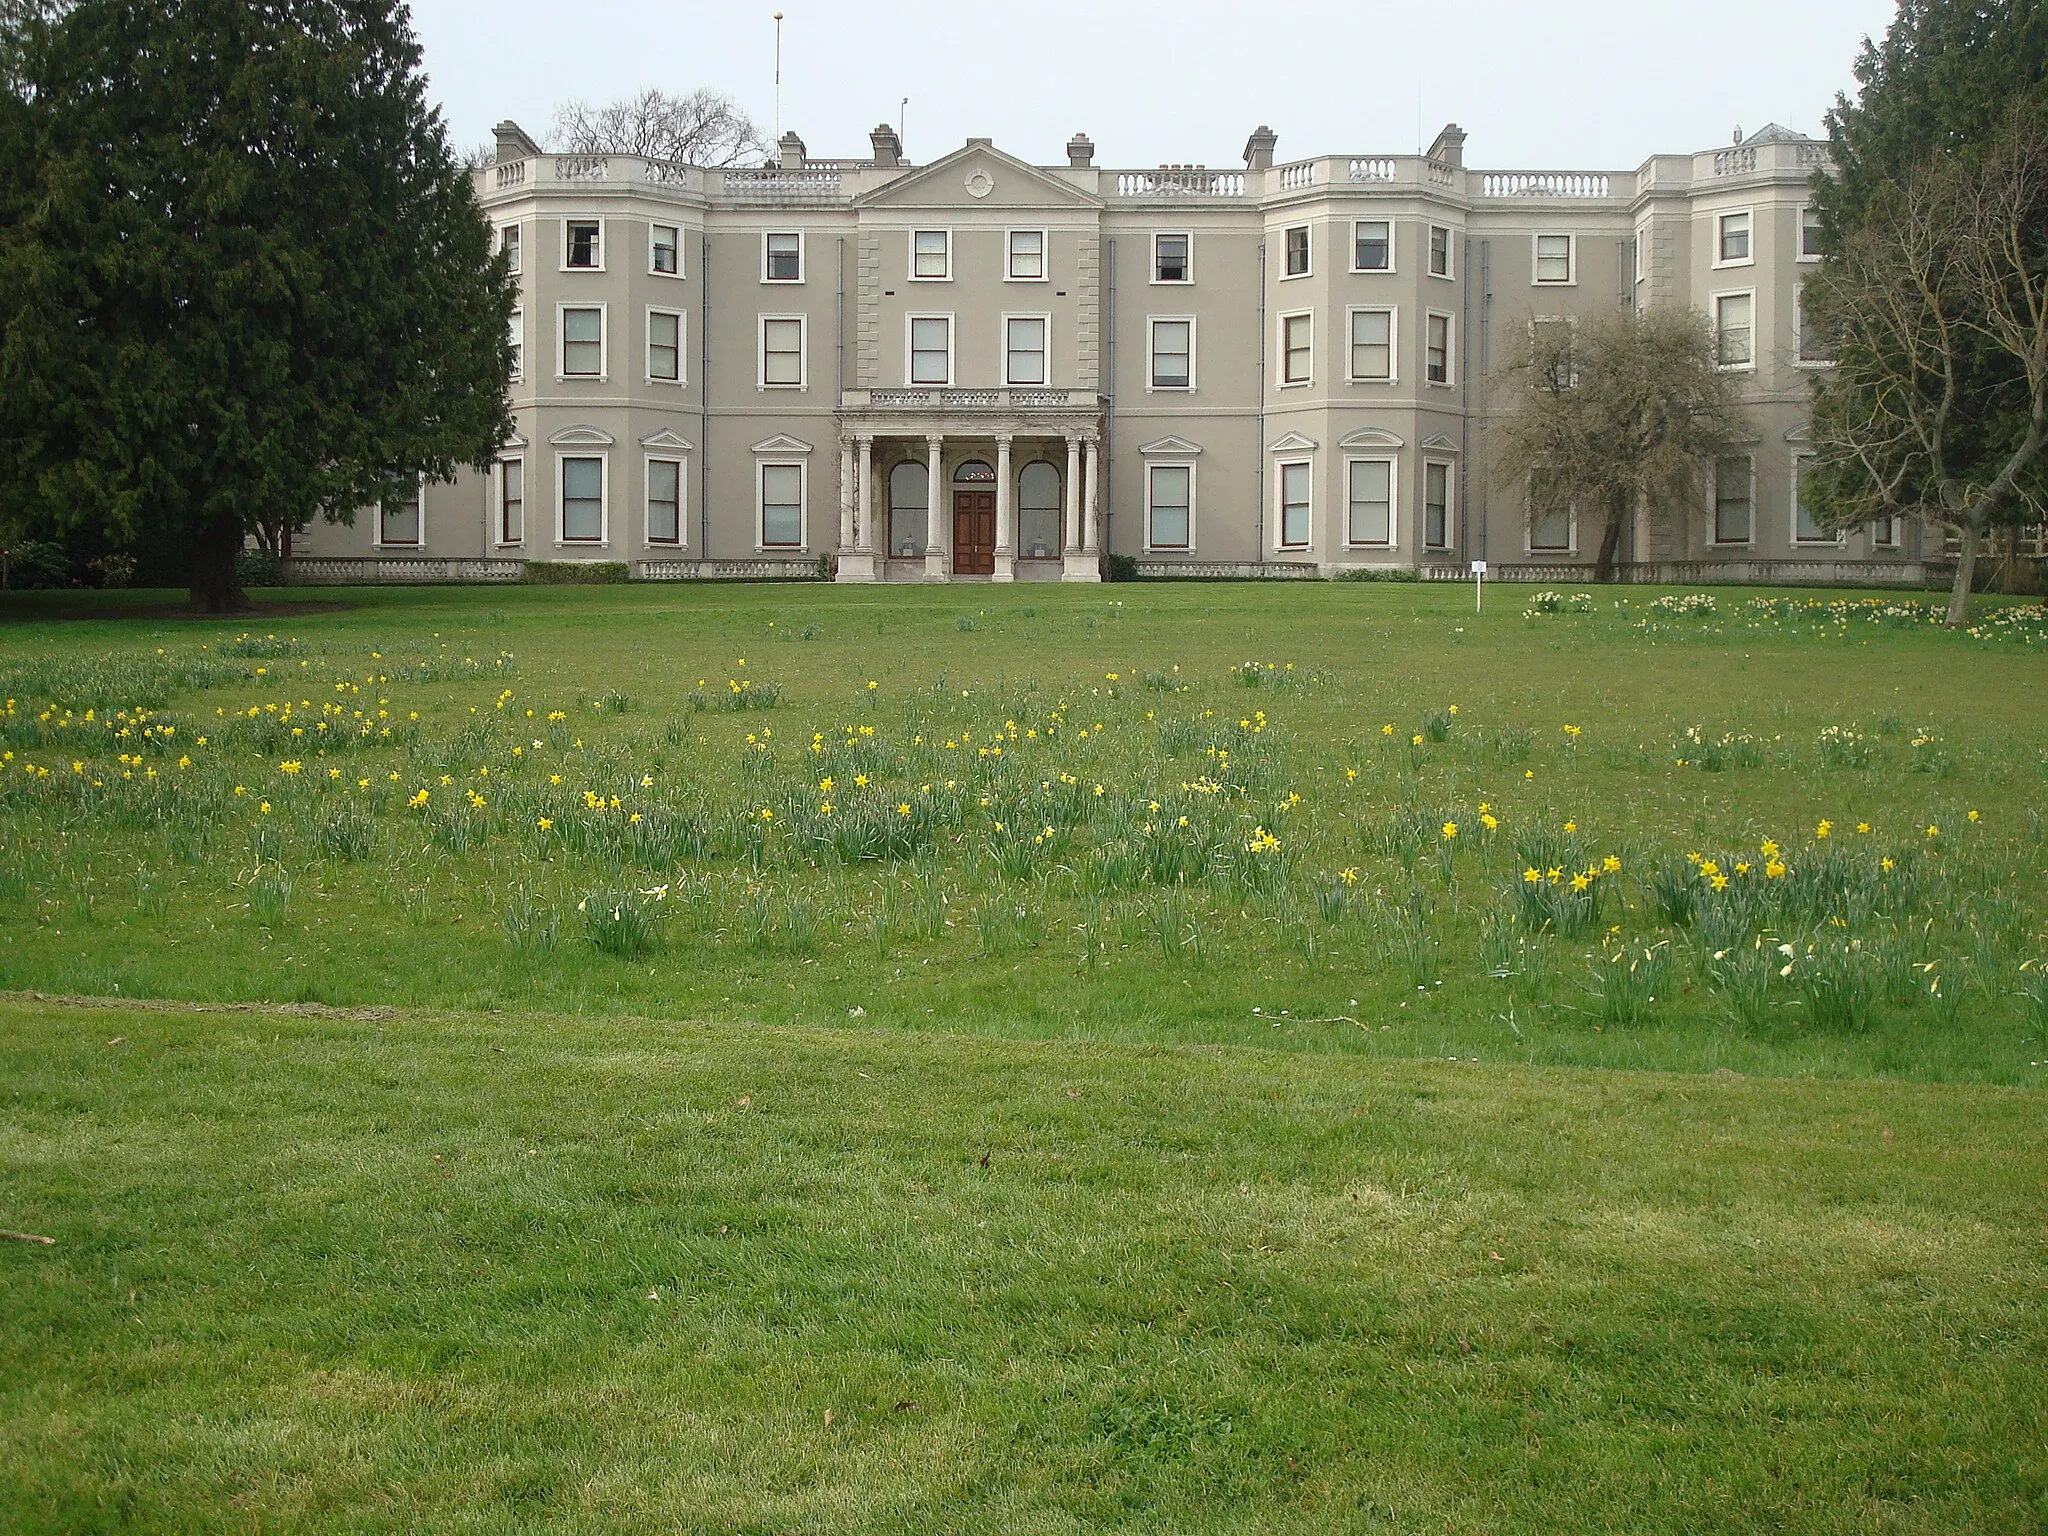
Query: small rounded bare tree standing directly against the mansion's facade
{"points": [[1617, 413]]}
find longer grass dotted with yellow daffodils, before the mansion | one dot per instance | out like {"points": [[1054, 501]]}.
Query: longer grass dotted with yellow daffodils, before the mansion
{"points": [[1310, 882]]}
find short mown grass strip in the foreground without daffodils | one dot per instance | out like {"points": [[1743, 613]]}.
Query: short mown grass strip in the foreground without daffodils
{"points": [[452, 1273]]}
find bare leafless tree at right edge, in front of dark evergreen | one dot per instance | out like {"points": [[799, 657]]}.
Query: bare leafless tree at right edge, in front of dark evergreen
{"points": [[1938, 314]]}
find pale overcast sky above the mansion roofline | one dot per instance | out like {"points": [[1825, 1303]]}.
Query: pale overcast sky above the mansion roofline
{"points": [[1588, 85]]}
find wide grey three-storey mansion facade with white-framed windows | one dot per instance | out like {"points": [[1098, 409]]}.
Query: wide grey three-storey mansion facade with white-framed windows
{"points": [[984, 370]]}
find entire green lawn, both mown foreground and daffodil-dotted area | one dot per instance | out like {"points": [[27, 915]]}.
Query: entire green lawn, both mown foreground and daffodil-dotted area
{"points": [[1023, 1060]]}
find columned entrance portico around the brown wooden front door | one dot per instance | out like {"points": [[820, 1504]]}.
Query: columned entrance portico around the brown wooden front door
{"points": [[970, 484]]}
